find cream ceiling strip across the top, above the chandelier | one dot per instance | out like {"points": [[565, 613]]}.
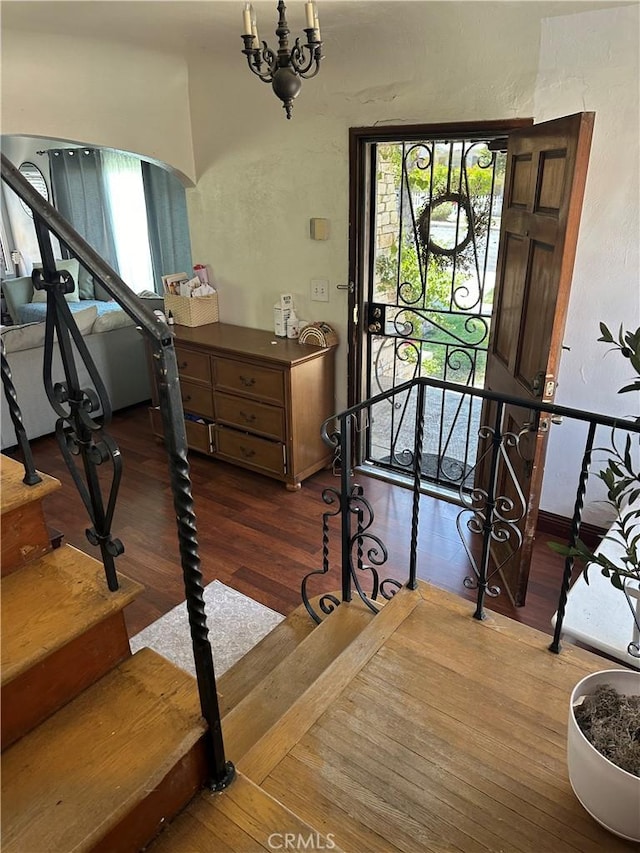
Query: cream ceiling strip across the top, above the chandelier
{"points": [[179, 26]]}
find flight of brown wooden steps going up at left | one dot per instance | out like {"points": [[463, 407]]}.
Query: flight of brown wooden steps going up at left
{"points": [[100, 747]]}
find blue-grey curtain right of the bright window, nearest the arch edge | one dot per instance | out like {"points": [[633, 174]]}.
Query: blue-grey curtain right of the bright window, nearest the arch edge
{"points": [[168, 223]]}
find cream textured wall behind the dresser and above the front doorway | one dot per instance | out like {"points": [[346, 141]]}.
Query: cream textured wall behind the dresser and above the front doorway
{"points": [[261, 177]]}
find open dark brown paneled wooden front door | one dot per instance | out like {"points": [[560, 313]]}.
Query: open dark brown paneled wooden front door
{"points": [[544, 189]]}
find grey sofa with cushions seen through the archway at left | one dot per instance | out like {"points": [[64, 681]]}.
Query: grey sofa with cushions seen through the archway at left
{"points": [[112, 338]]}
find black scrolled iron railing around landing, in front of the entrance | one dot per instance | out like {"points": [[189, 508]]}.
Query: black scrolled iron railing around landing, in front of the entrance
{"points": [[492, 508]]}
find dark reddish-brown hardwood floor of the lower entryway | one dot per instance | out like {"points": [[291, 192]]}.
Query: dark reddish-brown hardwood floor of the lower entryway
{"points": [[259, 538]]}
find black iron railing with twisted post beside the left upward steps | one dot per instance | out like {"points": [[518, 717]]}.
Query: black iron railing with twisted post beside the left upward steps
{"points": [[85, 413]]}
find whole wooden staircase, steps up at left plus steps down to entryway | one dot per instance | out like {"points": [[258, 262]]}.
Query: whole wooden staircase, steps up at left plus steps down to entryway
{"points": [[101, 749]]}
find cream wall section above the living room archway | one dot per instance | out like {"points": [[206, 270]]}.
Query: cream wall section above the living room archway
{"points": [[97, 93]]}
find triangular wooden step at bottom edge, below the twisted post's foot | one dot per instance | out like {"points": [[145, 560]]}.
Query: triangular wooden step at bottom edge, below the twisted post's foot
{"points": [[242, 818]]}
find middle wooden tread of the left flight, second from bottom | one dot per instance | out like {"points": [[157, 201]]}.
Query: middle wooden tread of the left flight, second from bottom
{"points": [[50, 602]]}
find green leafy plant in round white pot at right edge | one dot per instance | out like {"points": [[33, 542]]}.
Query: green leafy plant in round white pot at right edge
{"points": [[606, 779]]}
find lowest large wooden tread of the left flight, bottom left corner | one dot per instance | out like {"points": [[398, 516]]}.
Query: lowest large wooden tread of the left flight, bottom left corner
{"points": [[66, 784]]}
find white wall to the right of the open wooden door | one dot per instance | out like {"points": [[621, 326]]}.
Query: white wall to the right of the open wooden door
{"points": [[590, 62]]}
